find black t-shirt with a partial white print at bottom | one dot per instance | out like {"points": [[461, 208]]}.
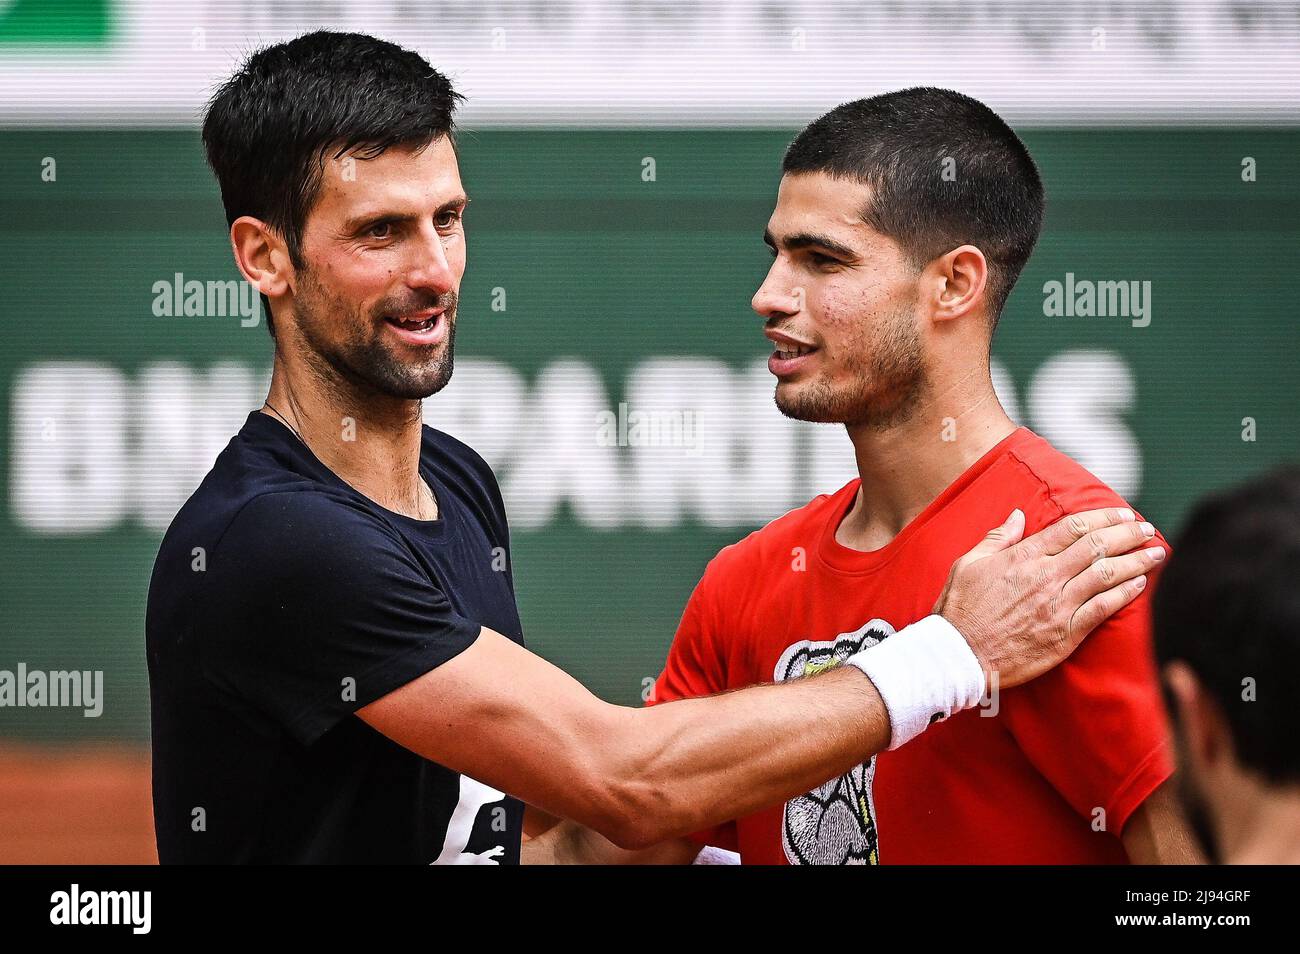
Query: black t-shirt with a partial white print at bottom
{"points": [[283, 601]]}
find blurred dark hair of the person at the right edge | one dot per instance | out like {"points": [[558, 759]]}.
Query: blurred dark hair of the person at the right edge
{"points": [[1229, 606]]}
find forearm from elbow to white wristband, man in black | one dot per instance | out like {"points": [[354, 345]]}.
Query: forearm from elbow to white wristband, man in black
{"points": [[690, 765]]}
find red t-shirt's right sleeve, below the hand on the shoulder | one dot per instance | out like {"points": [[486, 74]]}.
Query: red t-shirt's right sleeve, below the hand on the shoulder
{"points": [[1095, 726]]}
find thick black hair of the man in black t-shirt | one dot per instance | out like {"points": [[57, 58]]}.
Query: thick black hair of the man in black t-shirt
{"points": [[270, 128]]}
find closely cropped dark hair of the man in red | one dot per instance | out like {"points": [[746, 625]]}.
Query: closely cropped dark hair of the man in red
{"points": [[944, 172]]}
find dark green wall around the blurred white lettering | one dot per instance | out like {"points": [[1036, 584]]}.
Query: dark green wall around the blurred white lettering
{"points": [[605, 267]]}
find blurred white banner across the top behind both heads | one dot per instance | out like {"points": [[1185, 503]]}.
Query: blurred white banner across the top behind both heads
{"points": [[526, 63]]}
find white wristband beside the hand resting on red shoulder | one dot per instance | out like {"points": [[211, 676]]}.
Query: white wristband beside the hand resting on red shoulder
{"points": [[925, 673]]}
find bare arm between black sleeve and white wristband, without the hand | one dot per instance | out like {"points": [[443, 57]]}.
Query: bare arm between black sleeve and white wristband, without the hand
{"points": [[513, 721]]}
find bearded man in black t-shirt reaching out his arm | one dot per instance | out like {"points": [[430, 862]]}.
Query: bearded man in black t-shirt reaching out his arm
{"points": [[337, 669]]}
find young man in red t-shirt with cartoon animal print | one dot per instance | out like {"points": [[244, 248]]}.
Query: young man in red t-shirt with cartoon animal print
{"points": [[902, 226]]}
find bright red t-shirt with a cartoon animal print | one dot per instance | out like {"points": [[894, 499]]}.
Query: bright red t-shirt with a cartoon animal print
{"points": [[1052, 778]]}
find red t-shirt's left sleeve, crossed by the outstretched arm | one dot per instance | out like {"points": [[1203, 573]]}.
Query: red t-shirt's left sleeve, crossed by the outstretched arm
{"points": [[696, 667]]}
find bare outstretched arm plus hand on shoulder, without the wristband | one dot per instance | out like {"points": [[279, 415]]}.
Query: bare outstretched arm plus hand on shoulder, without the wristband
{"points": [[513, 721]]}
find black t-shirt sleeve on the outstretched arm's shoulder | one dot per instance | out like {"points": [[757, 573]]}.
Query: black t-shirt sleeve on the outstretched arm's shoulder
{"points": [[314, 609]]}
